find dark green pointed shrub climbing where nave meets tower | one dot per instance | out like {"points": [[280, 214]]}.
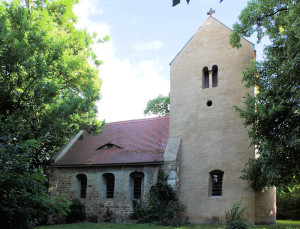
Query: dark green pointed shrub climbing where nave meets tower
{"points": [[163, 205]]}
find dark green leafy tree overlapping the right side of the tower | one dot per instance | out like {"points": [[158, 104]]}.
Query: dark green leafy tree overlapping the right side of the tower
{"points": [[272, 115]]}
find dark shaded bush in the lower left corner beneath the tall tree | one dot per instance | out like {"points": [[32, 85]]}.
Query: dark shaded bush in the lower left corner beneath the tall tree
{"points": [[24, 201]]}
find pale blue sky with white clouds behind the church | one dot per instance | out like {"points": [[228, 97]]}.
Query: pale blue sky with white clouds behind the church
{"points": [[145, 36]]}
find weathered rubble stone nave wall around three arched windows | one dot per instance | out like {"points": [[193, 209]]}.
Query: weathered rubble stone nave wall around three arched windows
{"points": [[63, 180]]}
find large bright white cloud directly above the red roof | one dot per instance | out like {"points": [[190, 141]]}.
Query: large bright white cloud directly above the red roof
{"points": [[127, 88]]}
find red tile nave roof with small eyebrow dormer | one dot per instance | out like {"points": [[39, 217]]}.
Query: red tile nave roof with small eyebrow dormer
{"points": [[140, 141]]}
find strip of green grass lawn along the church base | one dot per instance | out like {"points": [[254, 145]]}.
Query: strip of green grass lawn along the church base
{"points": [[280, 224]]}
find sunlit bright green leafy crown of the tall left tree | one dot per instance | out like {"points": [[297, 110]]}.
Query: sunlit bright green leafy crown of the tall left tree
{"points": [[48, 88]]}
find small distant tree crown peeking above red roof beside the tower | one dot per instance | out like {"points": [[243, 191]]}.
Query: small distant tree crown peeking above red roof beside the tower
{"points": [[158, 106]]}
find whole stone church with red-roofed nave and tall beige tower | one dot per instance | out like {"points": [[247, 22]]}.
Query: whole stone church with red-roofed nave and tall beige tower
{"points": [[202, 144]]}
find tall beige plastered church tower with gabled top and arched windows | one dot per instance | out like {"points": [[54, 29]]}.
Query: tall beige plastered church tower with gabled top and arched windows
{"points": [[214, 145]]}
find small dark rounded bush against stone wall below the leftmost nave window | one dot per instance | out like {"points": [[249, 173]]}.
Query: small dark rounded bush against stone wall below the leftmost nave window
{"points": [[77, 212]]}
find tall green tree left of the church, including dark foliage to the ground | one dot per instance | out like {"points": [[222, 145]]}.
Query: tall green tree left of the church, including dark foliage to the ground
{"points": [[48, 90]]}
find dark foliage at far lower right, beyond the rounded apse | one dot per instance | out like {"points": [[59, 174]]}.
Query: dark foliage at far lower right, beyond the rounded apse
{"points": [[288, 202]]}
